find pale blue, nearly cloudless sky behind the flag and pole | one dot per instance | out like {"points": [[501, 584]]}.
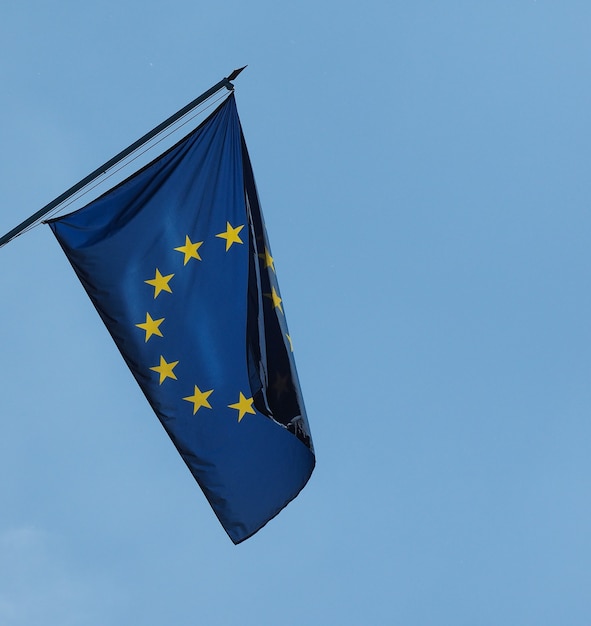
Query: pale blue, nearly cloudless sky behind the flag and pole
{"points": [[424, 174]]}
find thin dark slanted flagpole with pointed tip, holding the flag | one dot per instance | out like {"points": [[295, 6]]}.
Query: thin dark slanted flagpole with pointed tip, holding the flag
{"points": [[17, 230]]}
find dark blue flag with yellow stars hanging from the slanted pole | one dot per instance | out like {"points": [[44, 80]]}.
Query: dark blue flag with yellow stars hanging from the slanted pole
{"points": [[177, 263]]}
